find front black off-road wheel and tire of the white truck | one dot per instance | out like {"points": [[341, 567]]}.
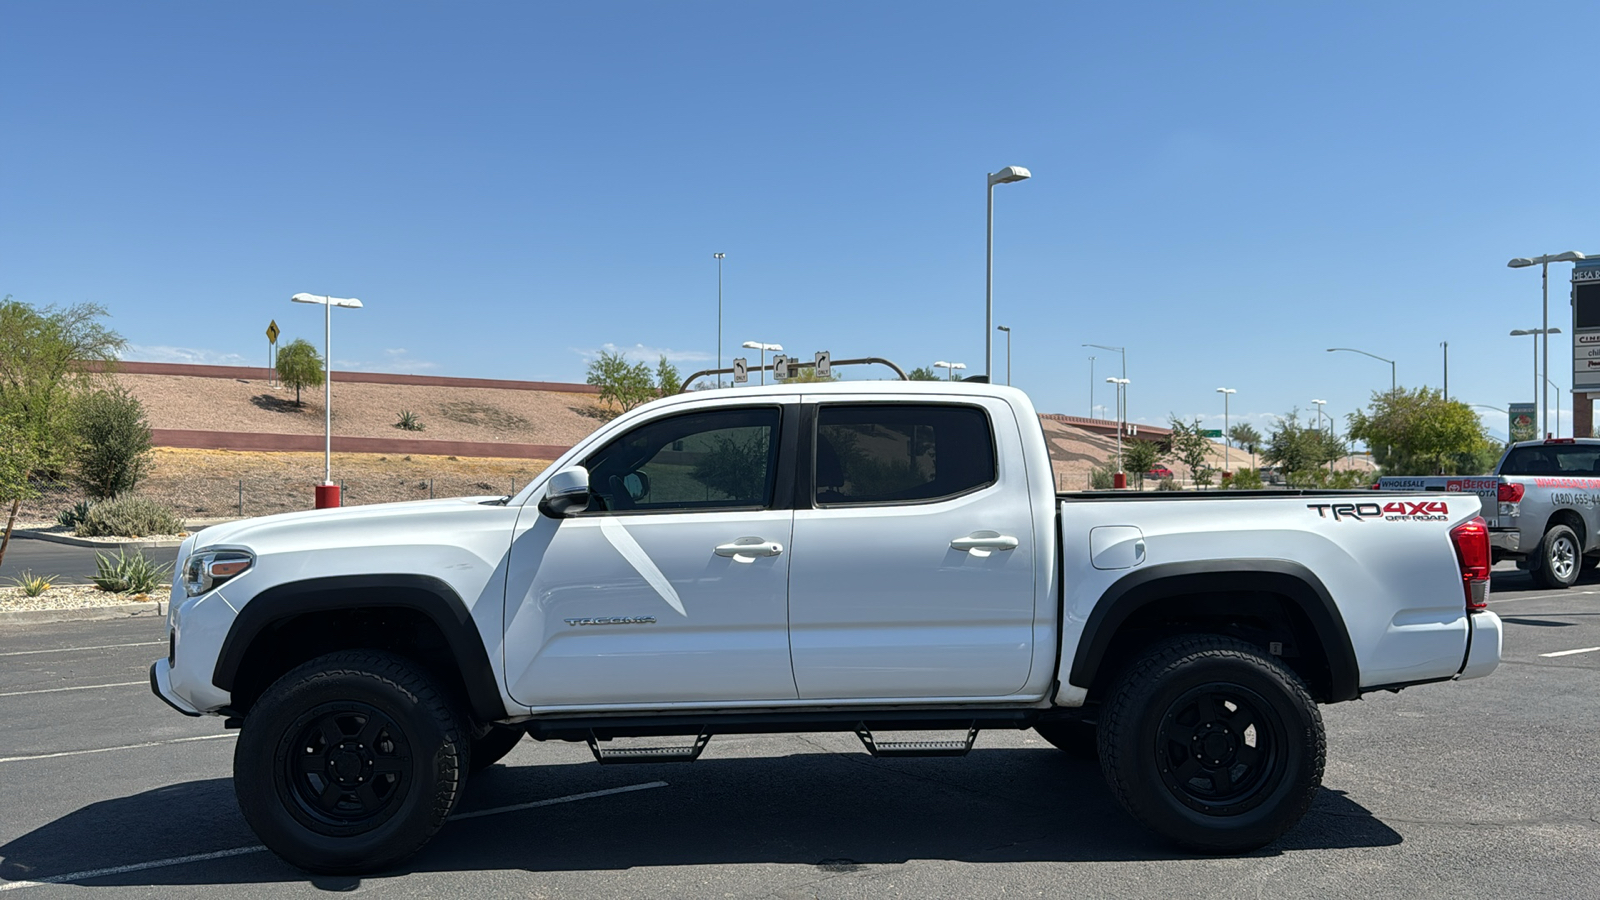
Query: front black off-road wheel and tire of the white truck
{"points": [[350, 763]]}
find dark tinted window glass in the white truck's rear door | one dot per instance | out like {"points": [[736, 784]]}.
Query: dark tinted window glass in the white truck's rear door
{"points": [[902, 452]]}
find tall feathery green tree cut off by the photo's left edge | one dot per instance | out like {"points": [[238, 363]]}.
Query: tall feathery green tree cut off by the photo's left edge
{"points": [[47, 358]]}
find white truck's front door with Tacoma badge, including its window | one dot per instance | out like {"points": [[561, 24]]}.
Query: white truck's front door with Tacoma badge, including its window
{"points": [[673, 587]]}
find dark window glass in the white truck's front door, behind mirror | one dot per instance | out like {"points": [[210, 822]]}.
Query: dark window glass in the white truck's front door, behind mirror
{"points": [[710, 460]]}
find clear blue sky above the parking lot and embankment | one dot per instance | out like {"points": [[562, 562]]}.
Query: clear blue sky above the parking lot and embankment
{"points": [[1226, 190]]}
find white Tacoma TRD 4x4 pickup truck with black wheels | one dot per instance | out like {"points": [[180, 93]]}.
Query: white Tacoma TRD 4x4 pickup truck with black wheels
{"points": [[858, 556]]}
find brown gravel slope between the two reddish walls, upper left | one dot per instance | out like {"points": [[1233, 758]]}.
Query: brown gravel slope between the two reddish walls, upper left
{"points": [[367, 411]]}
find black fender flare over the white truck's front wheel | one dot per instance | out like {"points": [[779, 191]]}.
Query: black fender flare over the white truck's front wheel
{"points": [[426, 595]]}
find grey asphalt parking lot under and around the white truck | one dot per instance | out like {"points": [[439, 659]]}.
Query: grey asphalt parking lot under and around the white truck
{"points": [[1486, 789]]}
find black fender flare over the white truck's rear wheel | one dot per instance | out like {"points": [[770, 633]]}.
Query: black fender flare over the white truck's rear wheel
{"points": [[1135, 592]]}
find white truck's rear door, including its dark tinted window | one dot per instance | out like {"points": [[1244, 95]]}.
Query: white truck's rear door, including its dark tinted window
{"points": [[913, 573]]}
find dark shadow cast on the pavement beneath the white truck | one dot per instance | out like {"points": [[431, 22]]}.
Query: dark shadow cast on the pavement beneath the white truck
{"points": [[834, 811]]}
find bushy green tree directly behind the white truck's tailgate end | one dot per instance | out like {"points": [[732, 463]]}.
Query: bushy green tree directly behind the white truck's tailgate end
{"points": [[1418, 433]]}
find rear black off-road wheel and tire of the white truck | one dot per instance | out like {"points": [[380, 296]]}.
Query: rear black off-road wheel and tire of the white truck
{"points": [[1188, 709]]}
